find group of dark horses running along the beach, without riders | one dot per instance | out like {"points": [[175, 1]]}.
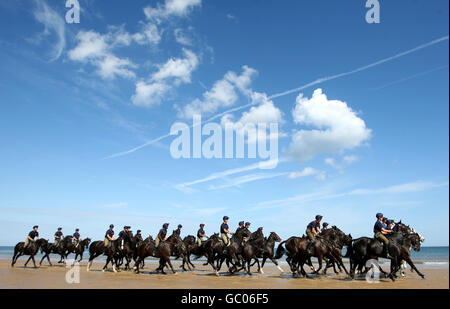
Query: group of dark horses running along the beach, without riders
{"points": [[244, 250]]}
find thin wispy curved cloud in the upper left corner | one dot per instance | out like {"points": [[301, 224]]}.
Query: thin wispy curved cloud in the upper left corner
{"points": [[52, 22]]}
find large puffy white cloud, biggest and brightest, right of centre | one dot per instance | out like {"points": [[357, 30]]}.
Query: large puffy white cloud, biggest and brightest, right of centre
{"points": [[339, 127]]}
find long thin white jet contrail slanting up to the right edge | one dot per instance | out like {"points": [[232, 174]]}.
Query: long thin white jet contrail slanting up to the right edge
{"points": [[277, 95]]}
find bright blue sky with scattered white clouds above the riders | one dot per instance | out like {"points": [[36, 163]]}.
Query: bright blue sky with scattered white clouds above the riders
{"points": [[368, 131]]}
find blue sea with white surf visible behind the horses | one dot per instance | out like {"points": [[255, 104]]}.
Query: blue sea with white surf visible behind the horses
{"points": [[432, 257]]}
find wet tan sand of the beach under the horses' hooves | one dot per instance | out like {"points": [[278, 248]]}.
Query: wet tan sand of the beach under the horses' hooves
{"points": [[202, 278]]}
